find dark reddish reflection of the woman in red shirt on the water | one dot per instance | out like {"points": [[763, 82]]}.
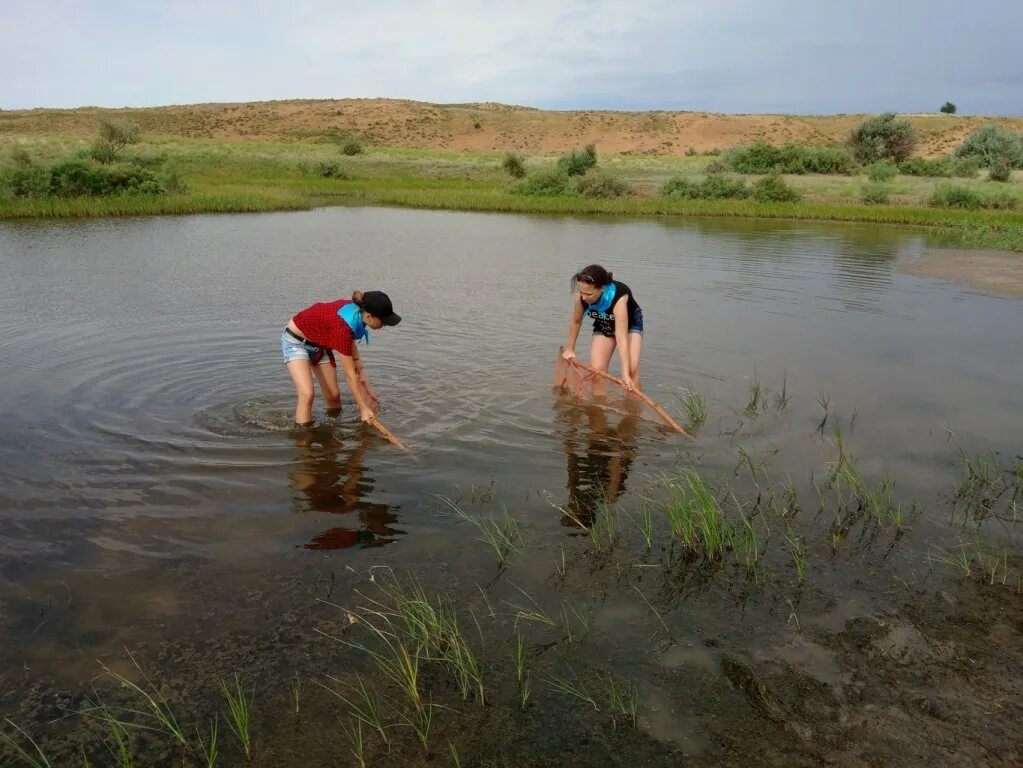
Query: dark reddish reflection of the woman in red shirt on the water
{"points": [[334, 479]]}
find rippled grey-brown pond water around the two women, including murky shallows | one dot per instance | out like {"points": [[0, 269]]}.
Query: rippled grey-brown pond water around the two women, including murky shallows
{"points": [[155, 499]]}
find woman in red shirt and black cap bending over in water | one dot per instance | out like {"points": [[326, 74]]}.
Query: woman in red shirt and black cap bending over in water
{"points": [[317, 333]]}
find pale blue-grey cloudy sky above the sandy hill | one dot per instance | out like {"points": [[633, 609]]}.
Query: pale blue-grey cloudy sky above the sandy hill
{"points": [[726, 56]]}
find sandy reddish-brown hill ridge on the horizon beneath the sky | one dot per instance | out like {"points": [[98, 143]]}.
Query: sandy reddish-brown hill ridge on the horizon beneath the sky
{"points": [[484, 127]]}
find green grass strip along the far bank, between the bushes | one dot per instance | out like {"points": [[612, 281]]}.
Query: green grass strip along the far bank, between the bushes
{"points": [[249, 176]]}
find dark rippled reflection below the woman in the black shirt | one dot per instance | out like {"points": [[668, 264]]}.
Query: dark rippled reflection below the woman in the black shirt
{"points": [[600, 446]]}
